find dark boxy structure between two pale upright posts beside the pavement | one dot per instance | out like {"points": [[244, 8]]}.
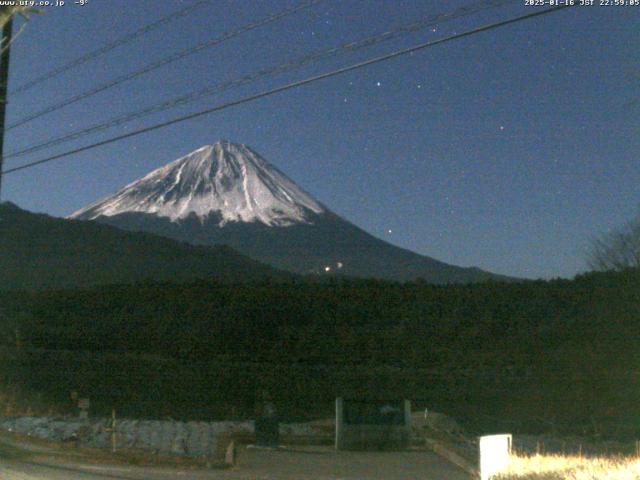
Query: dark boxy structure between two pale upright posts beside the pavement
{"points": [[372, 424]]}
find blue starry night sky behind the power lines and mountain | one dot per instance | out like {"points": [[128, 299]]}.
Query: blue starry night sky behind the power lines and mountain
{"points": [[508, 150]]}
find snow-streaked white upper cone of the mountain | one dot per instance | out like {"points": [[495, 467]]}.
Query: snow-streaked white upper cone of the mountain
{"points": [[225, 178]]}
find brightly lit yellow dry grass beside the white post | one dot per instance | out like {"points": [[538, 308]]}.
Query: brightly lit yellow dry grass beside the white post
{"points": [[557, 467]]}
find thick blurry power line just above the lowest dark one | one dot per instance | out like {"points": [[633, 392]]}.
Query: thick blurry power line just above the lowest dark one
{"points": [[274, 70]]}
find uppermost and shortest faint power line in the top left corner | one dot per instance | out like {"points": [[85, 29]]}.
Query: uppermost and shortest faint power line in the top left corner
{"points": [[107, 48]]}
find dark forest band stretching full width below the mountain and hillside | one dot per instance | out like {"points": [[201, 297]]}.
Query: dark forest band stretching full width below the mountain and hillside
{"points": [[558, 351]]}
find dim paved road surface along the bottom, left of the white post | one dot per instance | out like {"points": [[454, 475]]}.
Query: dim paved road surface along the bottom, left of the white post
{"points": [[301, 464]]}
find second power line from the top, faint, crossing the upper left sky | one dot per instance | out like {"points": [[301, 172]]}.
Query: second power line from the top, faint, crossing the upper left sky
{"points": [[162, 62]]}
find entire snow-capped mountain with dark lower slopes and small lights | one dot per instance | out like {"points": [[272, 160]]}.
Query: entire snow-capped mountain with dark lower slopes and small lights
{"points": [[228, 194]]}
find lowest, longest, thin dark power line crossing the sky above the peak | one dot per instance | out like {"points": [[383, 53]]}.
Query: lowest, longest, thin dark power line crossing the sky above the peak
{"points": [[292, 85]]}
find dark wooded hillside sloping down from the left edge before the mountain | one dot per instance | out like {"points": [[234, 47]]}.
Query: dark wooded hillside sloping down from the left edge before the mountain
{"points": [[42, 252]]}
